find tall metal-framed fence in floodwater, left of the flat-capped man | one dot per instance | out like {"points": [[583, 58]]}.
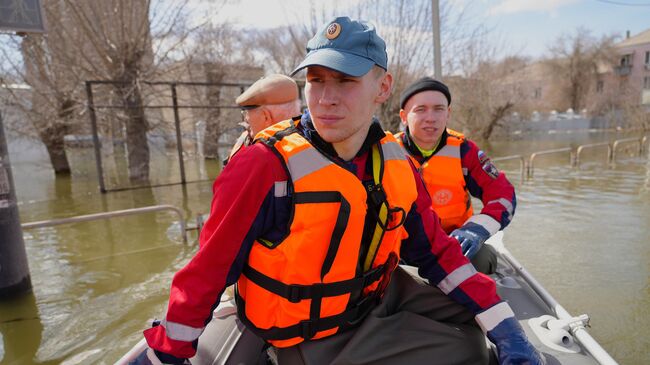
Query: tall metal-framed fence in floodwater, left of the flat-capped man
{"points": [[176, 116]]}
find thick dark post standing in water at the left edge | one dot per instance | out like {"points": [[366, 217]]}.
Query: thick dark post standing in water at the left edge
{"points": [[14, 271]]}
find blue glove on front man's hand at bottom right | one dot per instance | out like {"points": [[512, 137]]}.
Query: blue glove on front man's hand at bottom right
{"points": [[512, 344]]}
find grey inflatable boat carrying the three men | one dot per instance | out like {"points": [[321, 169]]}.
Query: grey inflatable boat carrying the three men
{"points": [[561, 337]]}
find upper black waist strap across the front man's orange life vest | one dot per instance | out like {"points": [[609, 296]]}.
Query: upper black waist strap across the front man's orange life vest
{"points": [[295, 293]]}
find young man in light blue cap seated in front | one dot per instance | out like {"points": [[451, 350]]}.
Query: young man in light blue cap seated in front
{"points": [[310, 222]]}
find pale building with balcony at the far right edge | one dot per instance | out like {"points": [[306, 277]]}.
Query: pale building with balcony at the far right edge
{"points": [[633, 67]]}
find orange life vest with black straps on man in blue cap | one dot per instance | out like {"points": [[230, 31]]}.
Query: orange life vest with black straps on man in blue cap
{"points": [[315, 283]]}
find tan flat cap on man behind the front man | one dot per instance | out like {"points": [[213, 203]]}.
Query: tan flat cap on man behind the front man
{"points": [[269, 90]]}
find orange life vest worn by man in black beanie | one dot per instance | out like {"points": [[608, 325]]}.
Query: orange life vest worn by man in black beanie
{"points": [[442, 173]]}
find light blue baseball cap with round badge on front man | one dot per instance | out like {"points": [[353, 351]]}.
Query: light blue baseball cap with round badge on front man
{"points": [[348, 46]]}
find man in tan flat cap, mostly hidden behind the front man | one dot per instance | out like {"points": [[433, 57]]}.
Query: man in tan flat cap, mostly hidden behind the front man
{"points": [[269, 100]]}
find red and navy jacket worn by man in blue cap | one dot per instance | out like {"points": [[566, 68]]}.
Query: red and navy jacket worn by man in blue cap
{"points": [[245, 207]]}
